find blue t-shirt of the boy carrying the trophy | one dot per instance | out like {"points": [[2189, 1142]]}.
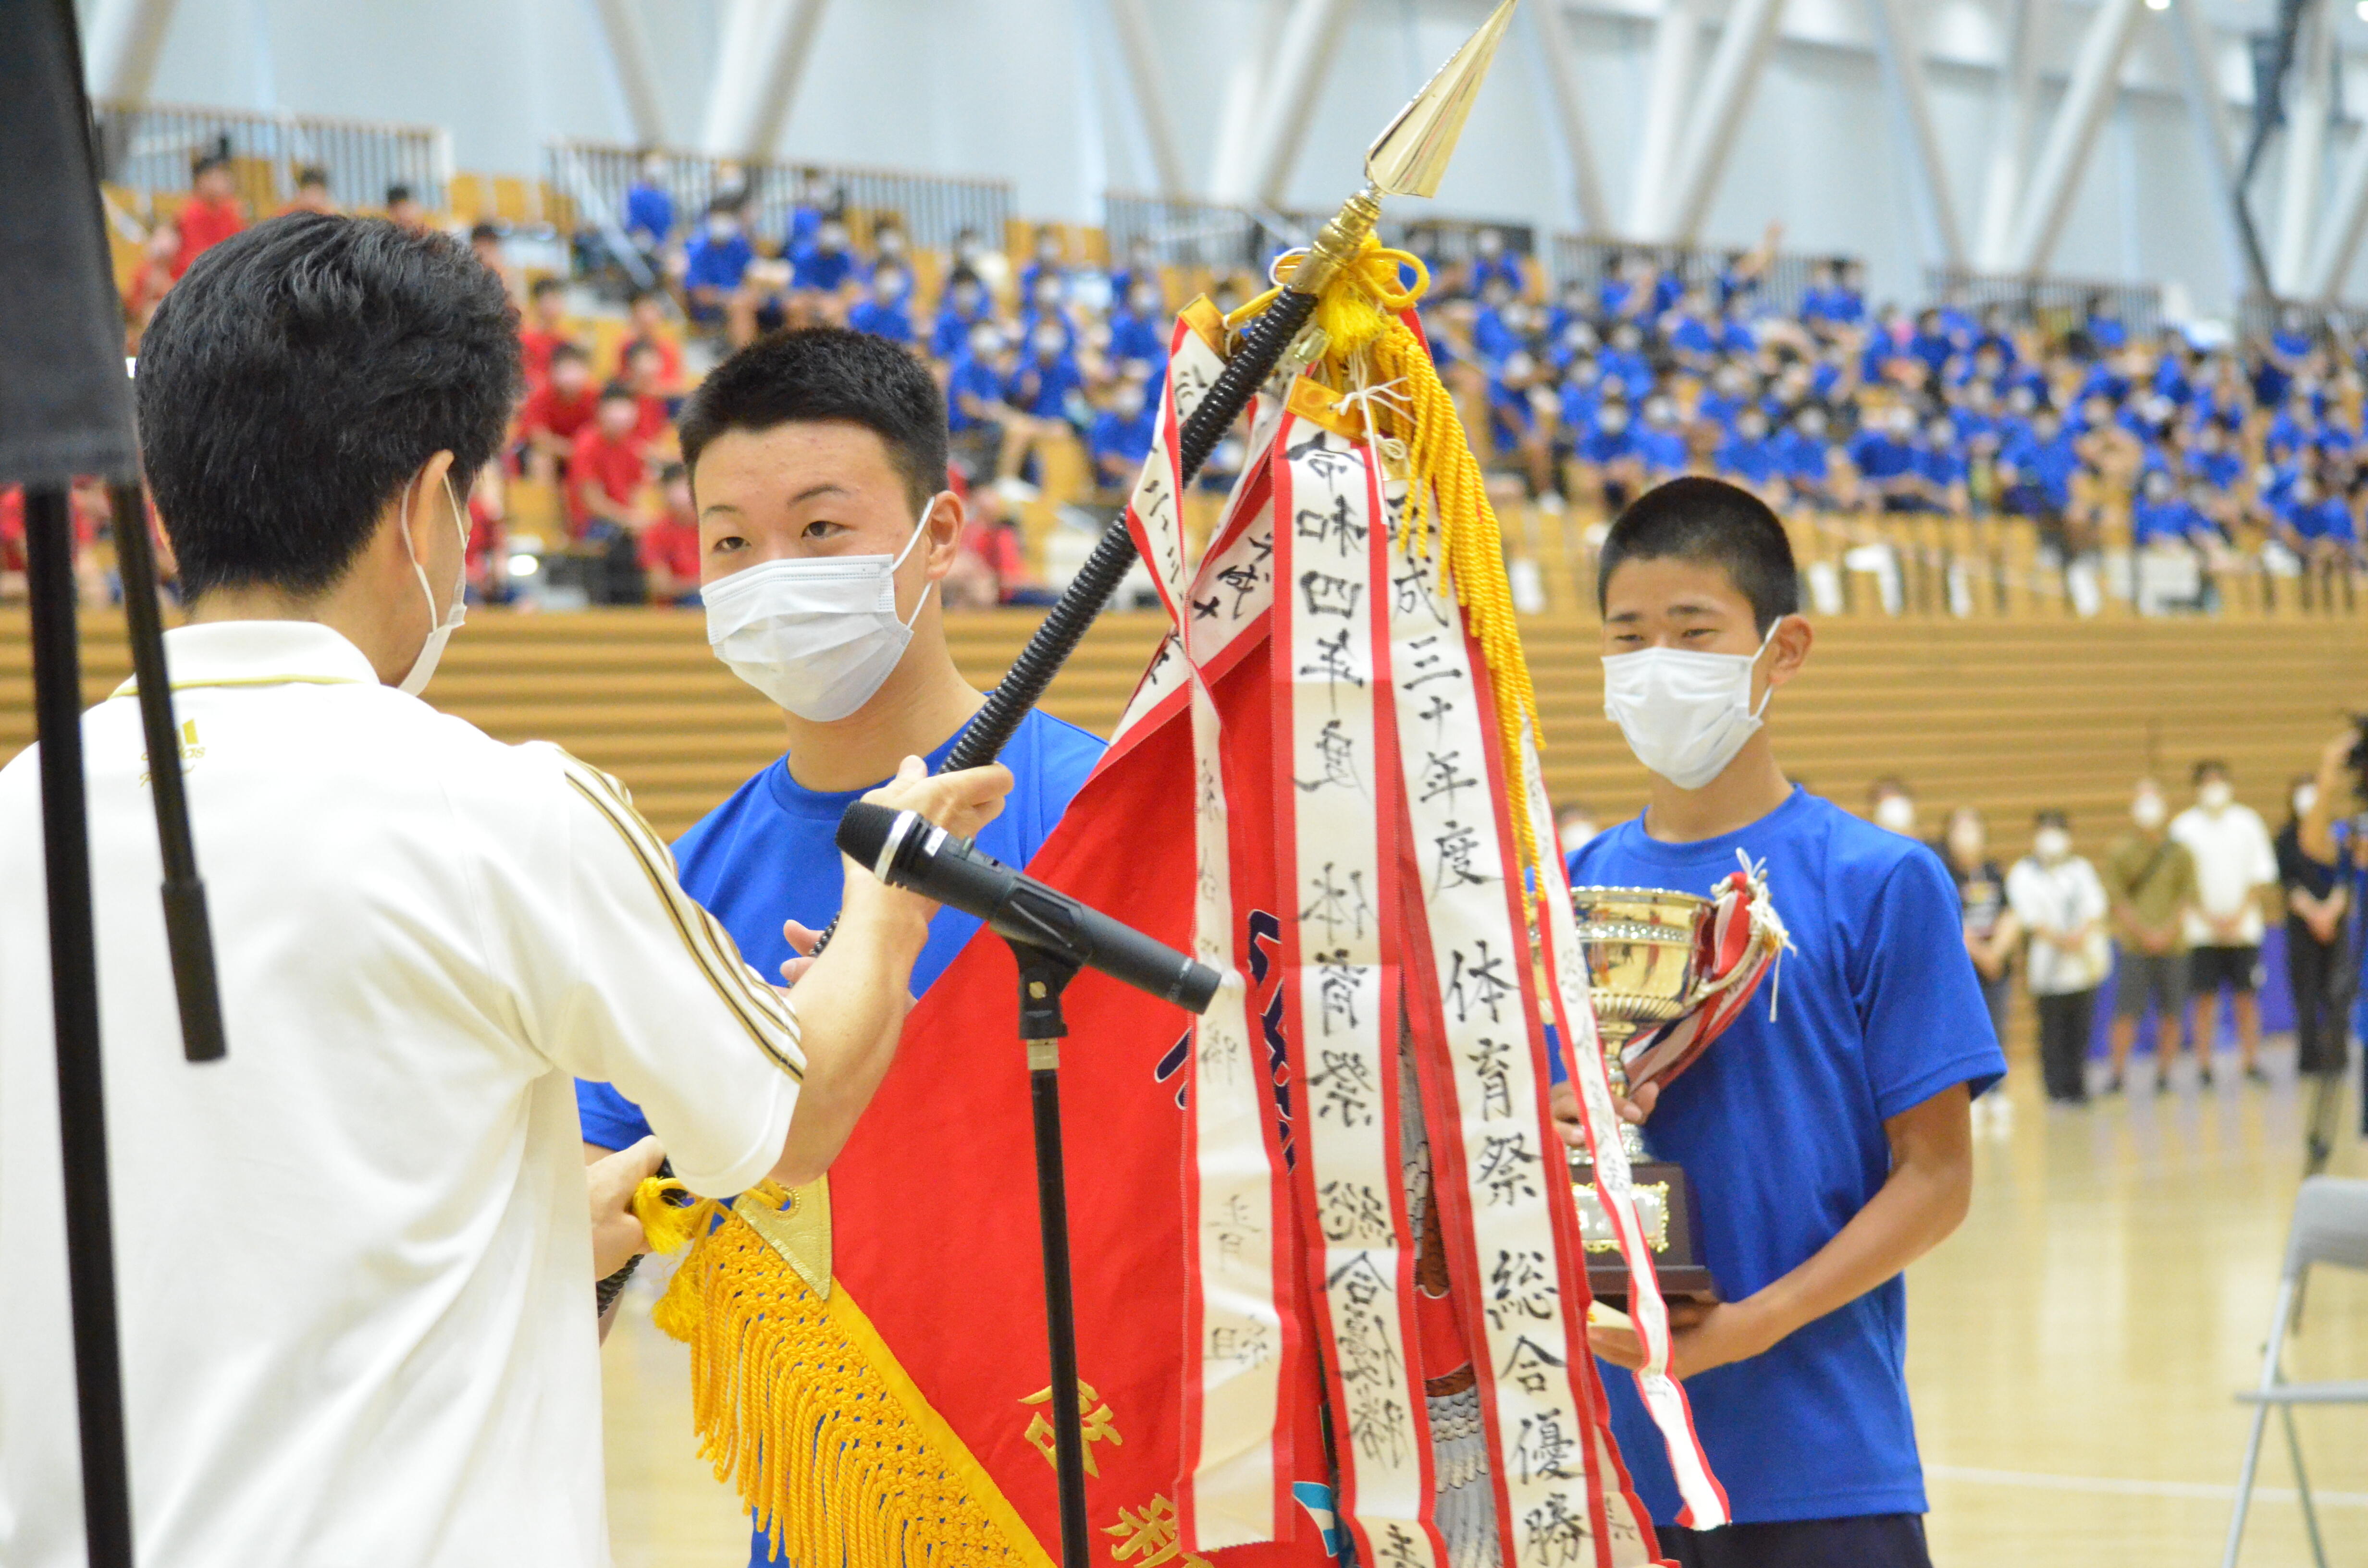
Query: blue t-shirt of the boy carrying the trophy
{"points": [[1780, 1129]]}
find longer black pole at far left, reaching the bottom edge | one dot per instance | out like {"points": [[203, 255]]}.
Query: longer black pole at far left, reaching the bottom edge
{"points": [[75, 998]]}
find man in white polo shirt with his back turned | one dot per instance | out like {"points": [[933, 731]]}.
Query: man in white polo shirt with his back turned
{"points": [[356, 1264]]}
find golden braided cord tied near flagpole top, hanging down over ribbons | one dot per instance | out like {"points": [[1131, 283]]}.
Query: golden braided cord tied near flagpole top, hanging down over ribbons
{"points": [[1375, 356]]}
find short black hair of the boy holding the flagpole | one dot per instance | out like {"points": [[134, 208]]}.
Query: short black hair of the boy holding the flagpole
{"points": [[828, 373]]}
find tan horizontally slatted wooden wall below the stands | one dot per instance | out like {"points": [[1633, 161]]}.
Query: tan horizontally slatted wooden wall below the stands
{"points": [[1997, 714]]}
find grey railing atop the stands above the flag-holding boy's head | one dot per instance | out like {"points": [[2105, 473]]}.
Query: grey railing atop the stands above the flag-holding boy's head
{"points": [[934, 210]]}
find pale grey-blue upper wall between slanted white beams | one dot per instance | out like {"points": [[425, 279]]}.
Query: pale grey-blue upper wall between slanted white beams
{"points": [[1034, 91]]}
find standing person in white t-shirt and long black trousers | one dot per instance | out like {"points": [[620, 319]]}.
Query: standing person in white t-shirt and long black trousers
{"points": [[2061, 904]]}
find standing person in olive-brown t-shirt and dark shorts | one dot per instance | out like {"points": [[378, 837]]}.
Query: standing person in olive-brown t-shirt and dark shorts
{"points": [[2151, 882]]}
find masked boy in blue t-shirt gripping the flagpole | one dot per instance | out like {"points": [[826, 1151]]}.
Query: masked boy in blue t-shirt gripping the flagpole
{"points": [[816, 454]]}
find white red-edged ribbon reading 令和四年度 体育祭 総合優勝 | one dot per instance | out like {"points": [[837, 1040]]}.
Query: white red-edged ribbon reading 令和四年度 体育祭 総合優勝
{"points": [[1334, 830]]}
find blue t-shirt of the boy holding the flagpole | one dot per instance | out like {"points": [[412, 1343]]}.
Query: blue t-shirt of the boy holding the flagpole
{"points": [[768, 856]]}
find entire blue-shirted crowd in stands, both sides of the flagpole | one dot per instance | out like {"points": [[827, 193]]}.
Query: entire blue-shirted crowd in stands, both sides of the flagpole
{"points": [[1604, 385]]}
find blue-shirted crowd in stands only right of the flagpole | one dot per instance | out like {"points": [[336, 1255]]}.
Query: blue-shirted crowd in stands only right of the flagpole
{"points": [[2099, 435]]}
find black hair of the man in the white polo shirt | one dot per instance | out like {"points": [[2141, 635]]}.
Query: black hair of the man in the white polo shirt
{"points": [[295, 383]]}
